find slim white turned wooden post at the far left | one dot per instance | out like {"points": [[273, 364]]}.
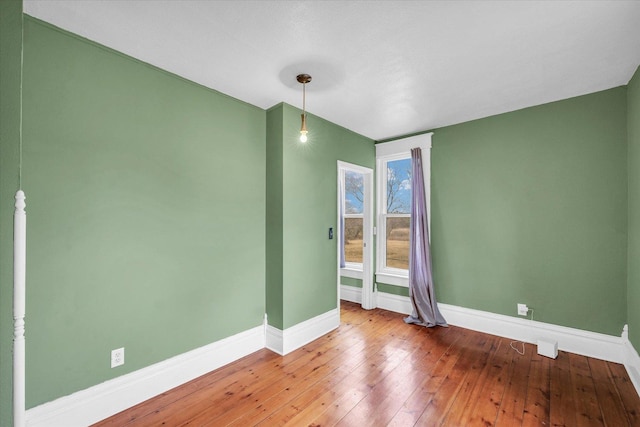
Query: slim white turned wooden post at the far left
{"points": [[19, 306]]}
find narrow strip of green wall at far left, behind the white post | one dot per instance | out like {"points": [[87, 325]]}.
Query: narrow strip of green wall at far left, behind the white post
{"points": [[10, 70]]}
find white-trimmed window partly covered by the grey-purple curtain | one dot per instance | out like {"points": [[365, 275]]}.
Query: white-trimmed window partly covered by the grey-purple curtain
{"points": [[394, 206]]}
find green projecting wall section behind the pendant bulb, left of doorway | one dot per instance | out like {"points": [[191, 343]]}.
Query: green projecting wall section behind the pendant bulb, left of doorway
{"points": [[309, 209]]}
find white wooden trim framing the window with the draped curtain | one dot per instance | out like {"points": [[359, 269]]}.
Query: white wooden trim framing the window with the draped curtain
{"points": [[389, 151]]}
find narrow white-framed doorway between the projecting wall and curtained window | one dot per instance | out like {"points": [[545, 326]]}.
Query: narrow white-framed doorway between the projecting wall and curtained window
{"points": [[355, 233]]}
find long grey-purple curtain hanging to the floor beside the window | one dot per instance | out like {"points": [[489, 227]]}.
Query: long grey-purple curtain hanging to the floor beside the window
{"points": [[421, 292]]}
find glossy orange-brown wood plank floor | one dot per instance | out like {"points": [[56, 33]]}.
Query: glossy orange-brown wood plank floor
{"points": [[374, 370]]}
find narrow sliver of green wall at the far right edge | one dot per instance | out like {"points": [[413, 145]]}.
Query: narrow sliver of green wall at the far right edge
{"points": [[633, 260]]}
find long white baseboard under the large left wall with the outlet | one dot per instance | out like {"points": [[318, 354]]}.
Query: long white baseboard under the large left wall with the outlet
{"points": [[103, 400]]}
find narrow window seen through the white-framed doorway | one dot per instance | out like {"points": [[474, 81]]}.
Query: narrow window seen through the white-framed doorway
{"points": [[353, 218]]}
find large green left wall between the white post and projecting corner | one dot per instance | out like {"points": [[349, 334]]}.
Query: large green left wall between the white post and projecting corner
{"points": [[146, 210]]}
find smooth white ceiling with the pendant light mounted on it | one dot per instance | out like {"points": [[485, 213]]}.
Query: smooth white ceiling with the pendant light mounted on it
{"points": [[380, 68]]}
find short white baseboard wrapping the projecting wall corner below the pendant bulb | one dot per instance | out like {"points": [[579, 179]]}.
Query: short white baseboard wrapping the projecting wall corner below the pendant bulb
{"points": [[284, 342]]}
